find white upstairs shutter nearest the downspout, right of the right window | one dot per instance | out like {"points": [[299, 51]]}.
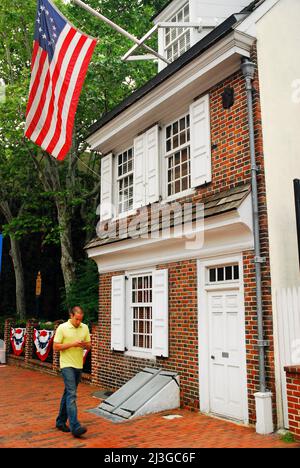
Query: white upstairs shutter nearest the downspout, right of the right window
{"points": [[200, 142]]}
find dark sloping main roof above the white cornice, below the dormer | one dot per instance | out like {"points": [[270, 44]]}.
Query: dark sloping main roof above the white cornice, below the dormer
{"points": [[200, 47]]}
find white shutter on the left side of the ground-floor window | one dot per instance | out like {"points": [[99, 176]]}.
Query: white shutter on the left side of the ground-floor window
{"points": [[118, 307]]}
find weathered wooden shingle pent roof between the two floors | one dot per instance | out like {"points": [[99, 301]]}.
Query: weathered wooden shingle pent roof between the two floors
{"points": [[219, 203]]}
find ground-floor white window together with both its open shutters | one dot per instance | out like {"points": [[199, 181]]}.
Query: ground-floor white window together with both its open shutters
{"points": [[140, 314]]}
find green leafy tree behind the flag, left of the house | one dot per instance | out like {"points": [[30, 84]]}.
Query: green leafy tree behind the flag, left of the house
{"points": [[69, 185]]}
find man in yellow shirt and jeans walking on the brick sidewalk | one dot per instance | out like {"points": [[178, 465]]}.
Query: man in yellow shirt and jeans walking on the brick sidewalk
{"points": [[71, 338]]}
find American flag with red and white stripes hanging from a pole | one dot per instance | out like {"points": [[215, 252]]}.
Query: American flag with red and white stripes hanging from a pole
{"points": [[60, 59]]}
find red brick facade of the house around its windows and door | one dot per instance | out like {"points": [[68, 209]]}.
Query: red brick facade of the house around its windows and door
{"points": [[230, 167]]}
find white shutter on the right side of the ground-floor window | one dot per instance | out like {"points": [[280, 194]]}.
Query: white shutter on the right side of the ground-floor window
{"points": [[160, 313]]}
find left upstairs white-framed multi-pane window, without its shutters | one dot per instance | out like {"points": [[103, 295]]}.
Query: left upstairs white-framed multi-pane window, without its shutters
{"points": [[125, 168]]}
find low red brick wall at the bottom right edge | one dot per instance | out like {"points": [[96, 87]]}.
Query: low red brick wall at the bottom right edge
{"points": [[293, 395]]}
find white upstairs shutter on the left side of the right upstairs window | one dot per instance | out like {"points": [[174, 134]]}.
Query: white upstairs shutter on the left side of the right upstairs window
{"points": [[152, 164]]}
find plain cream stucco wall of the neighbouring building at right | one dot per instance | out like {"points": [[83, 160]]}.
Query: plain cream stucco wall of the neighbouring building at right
{"points": [[278, 42]]}
